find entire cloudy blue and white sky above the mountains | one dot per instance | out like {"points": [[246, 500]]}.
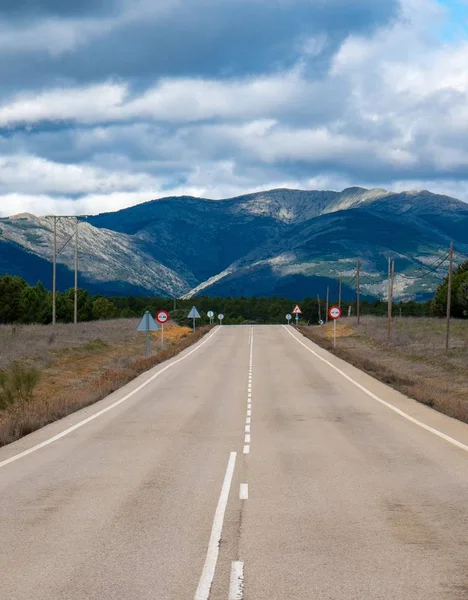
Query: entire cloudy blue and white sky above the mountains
{"points": [[108, 103]]}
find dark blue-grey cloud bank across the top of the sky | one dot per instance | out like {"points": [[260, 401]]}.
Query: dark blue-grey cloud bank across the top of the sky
{"points": [[142, 40]]}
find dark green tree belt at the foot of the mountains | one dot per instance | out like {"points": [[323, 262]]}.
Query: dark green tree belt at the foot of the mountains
{"points": [[22, 303]]}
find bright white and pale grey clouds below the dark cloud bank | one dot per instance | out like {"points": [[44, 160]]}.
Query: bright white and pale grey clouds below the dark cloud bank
{"points": [[390, 111]]}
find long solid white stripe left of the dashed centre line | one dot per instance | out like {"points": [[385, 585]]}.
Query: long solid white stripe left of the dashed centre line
{"points": [[206, 579]]}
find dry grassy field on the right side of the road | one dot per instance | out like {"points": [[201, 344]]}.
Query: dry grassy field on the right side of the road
{"points": [[413, 361]]}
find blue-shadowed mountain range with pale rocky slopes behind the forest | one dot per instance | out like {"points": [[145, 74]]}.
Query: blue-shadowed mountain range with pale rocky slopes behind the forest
{"points": [[282, 242]]}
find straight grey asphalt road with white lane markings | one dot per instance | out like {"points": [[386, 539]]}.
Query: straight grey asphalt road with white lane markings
{"points": [[247, 467]]}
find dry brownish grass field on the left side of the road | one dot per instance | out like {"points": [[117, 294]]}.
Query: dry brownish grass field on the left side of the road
{"points": [[78, 366]]}
